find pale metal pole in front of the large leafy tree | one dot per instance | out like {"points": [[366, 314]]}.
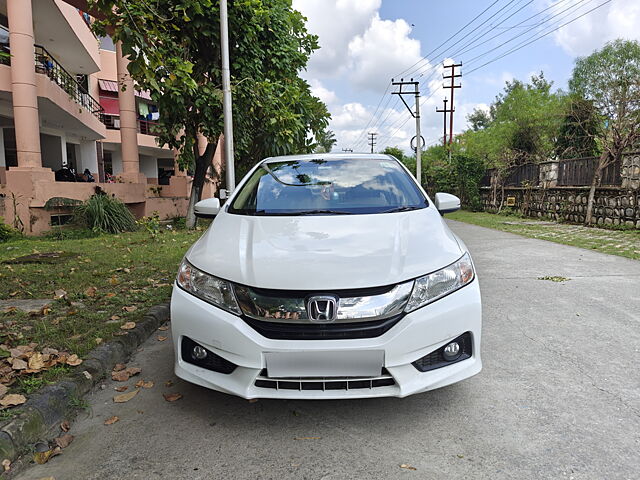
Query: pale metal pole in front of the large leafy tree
{"points": [[226, 98]]}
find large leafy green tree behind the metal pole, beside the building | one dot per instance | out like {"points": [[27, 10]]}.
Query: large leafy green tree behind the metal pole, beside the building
{"points": [[174, 52]]}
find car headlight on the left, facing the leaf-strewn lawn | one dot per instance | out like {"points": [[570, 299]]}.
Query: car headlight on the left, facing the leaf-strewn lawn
{"points": [[207, 287]]}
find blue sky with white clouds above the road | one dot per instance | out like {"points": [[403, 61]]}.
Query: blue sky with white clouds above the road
{"points": [[366, 43]]}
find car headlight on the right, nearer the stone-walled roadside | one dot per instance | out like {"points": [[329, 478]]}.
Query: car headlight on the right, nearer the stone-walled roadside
{"points": [[438, 284]]}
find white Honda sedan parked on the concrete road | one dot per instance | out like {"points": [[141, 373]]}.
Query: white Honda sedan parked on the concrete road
{"points": [[327, 276]]}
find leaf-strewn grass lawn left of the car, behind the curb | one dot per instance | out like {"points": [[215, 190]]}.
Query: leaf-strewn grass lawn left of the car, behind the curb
{"points": [[94, 286]]}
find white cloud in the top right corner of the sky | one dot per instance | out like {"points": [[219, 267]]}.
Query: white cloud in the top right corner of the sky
{"points": [[619, 19]]}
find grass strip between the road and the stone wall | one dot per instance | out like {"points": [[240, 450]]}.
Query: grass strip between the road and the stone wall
{"points": [[625, 243]]}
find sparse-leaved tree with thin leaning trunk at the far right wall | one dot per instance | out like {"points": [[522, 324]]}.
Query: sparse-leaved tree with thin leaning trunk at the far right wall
{"points": [[610, 78]]}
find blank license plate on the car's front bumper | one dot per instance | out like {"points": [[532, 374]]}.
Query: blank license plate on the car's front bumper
{"points": [[366, 363]]}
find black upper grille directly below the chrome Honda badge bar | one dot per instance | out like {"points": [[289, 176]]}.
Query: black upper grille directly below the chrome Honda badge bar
{"points": [[327, 331]]}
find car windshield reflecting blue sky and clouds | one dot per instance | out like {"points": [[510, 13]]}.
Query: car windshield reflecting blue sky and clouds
{"points": [[328, 186]]}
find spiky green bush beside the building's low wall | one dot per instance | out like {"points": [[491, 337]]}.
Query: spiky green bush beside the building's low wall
{"points": [[105, 214]]}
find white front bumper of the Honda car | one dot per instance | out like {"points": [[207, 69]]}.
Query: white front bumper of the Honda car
{"points": [[414, 336]]}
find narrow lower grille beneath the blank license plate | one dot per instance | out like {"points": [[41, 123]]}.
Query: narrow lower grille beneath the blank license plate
{"points": [[325, 383]]}
